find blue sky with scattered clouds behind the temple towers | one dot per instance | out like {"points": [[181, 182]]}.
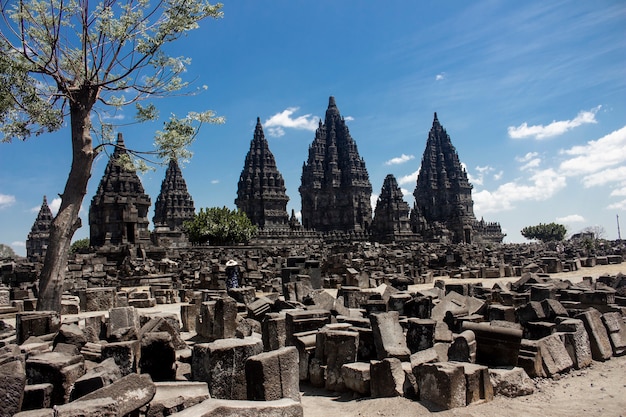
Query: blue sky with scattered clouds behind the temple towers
{"points": [[532, 94]]}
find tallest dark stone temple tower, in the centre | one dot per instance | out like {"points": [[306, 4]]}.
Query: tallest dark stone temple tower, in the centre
{"points": [[335, 187]]}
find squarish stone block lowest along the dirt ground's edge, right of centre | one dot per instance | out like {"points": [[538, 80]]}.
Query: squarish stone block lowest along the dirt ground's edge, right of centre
{"points": [[442, 384]]}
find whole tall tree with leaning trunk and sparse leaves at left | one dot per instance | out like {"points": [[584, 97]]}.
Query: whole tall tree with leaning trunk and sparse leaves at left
{"points": [[74, 58]]}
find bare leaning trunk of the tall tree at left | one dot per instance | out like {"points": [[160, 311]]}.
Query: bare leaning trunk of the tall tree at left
{"points": [[67, 221]]}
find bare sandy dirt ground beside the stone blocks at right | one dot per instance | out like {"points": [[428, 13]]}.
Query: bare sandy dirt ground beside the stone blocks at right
{"points": [[596, 391]]}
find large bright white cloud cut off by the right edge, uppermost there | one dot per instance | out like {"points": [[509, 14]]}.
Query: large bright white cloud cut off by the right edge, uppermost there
{"points": [[596, 155]]}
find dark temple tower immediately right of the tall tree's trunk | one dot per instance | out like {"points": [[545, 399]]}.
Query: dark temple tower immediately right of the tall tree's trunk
{"points": [[118, 214]]}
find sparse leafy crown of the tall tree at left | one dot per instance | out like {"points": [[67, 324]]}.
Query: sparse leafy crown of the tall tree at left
{"points": [[100, 55]]}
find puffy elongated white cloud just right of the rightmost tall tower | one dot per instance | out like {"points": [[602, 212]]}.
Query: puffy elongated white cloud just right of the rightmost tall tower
{"points": [[543, 185]]}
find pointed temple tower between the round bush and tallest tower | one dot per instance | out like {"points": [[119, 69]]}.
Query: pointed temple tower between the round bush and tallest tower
{"points": [[261, 188]]}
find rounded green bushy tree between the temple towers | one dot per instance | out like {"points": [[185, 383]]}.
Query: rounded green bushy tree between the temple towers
{"points": [[220, 226]]}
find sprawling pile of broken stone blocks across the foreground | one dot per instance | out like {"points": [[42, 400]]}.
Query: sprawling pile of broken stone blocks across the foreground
{"points": [[243, 352]]}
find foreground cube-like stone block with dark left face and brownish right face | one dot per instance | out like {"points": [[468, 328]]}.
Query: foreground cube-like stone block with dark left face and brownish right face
{"points": [[273, 375]]}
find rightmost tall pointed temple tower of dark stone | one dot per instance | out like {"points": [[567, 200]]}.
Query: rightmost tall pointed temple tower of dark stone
{"points": [[443, 195]]}
